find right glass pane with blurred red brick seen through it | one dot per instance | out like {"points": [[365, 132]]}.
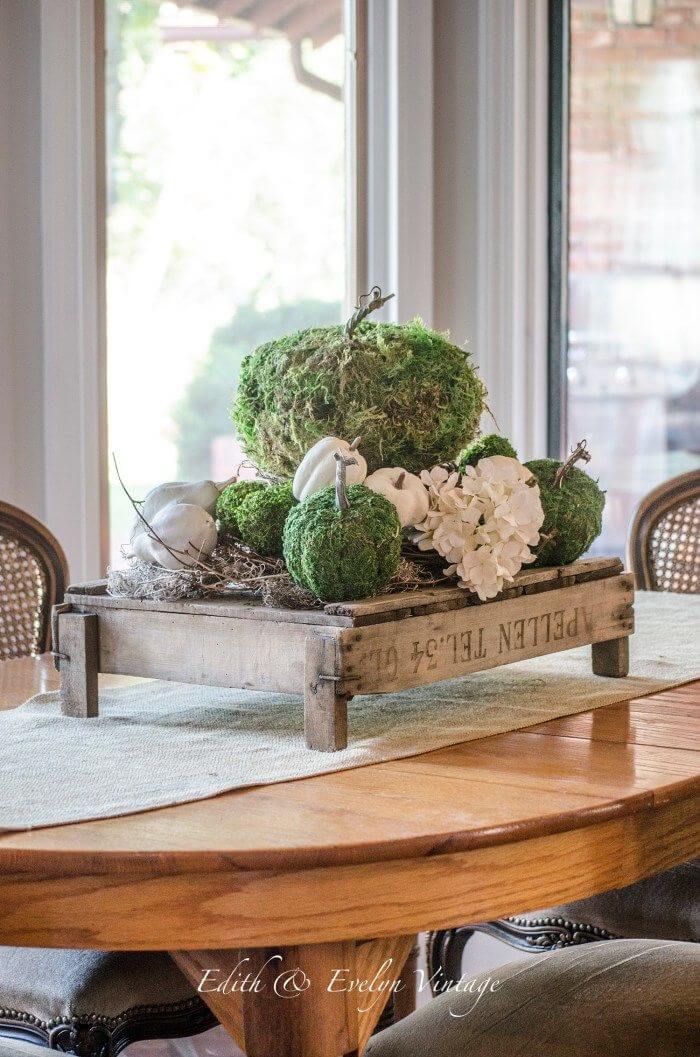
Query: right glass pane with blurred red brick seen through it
{"points": [[634, 365]]}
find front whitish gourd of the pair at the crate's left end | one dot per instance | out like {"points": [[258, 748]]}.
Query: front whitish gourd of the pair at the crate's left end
{"points": [[188, 530]]}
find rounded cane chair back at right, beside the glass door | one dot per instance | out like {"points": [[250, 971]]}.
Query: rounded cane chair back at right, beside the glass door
{"points": [[664, 549]]}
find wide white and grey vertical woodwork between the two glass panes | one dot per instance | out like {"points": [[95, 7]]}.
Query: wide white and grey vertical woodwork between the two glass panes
{"points": [[501, 264]]}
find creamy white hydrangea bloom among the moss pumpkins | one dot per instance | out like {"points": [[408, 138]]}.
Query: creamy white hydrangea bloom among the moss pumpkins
{"points": [[484, 523]]}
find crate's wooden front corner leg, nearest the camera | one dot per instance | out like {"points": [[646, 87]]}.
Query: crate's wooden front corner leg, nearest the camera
{"points": [[325, 711]]}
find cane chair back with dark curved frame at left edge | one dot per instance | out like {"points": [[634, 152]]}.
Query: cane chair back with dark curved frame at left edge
{"points": [[33, 579]]}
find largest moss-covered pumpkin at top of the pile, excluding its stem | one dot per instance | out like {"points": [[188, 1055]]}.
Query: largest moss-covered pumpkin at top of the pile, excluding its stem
{"points": [[413, 396]]}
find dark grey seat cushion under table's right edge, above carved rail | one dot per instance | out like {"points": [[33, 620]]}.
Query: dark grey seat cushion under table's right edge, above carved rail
{"points": [[664, 907]]}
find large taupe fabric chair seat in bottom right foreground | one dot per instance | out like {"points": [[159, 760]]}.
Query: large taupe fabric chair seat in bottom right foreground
{"points": [[628, 998]]}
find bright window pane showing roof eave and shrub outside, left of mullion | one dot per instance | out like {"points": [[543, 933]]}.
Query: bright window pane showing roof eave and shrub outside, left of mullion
{"points": [[226, 225]]}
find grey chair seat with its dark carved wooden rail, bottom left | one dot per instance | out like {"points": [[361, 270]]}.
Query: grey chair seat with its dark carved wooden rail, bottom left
{"points": [[95, 1004]]}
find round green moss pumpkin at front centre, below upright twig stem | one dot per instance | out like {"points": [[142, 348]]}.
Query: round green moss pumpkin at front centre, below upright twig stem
{"points": [[342, 555]]}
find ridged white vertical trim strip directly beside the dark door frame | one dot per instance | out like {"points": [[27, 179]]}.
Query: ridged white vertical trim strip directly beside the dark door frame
{"points": [[512, 254]]}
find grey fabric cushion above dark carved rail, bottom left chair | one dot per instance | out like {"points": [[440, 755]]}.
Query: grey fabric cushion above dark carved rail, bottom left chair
{"points": [[59, 986]]}
